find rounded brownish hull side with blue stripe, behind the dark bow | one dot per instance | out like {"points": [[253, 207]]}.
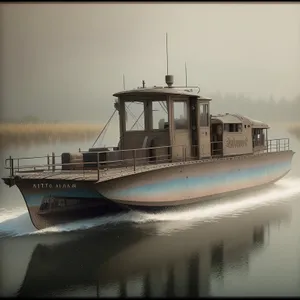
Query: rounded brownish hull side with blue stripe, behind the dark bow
{"points": [[196, 181]]}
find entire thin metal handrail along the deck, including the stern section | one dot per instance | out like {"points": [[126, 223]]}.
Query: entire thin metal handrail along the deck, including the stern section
{"points": [[131, 161]]}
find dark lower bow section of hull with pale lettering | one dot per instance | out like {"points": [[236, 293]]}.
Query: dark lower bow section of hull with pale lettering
{"points": [[53, 202]]}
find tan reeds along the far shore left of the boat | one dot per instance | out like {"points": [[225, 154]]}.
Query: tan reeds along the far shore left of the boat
{"points": [[22, 134]]}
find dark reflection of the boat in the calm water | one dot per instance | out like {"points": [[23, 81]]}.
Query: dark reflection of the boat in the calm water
{"points": [[132, 260]]}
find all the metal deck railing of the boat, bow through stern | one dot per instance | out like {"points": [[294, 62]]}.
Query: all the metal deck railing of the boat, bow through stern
{"points": [[130, 158]]}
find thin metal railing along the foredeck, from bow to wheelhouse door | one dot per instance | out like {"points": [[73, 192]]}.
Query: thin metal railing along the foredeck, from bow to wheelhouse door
{"points": [[129, 158]]}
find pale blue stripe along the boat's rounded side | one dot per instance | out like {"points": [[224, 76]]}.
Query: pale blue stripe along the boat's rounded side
{"points": [[235, 178]]}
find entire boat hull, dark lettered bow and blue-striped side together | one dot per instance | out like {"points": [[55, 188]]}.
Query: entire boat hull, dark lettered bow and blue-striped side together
{"points": [[52, 202]]}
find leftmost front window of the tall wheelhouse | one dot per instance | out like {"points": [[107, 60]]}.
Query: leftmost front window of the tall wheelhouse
{"points": [[134, 115]]}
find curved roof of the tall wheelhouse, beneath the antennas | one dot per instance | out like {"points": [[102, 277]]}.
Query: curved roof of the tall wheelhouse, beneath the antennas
{"points": [[161, 91]]}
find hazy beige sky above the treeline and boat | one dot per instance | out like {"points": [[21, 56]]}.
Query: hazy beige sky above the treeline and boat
{"points": [[61, 58]]}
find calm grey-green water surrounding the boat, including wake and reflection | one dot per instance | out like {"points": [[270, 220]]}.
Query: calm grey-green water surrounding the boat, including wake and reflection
{"points": [[247, 245]]}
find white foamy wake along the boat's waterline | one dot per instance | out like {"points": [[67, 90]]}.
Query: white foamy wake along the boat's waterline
{"points": [[208, 212]]}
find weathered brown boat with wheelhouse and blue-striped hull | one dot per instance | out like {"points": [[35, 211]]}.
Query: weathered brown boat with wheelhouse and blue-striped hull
{"points": [[177, 160]]}
